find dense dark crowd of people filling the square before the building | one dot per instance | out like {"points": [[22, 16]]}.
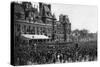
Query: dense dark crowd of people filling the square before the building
{"points": [[29, 55]]}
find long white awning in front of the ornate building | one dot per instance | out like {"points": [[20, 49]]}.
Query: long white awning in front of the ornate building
{"points": [[30, 36]]}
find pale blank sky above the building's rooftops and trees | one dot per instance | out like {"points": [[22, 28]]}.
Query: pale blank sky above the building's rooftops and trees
{"points": [[80, 16]]}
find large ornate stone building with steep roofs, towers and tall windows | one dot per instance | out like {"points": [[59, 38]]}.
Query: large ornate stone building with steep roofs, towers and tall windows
{"points": [[40, 22]]}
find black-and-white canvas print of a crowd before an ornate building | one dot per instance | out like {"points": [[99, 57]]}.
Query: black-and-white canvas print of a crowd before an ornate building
{"points": [[53, 33]]}
